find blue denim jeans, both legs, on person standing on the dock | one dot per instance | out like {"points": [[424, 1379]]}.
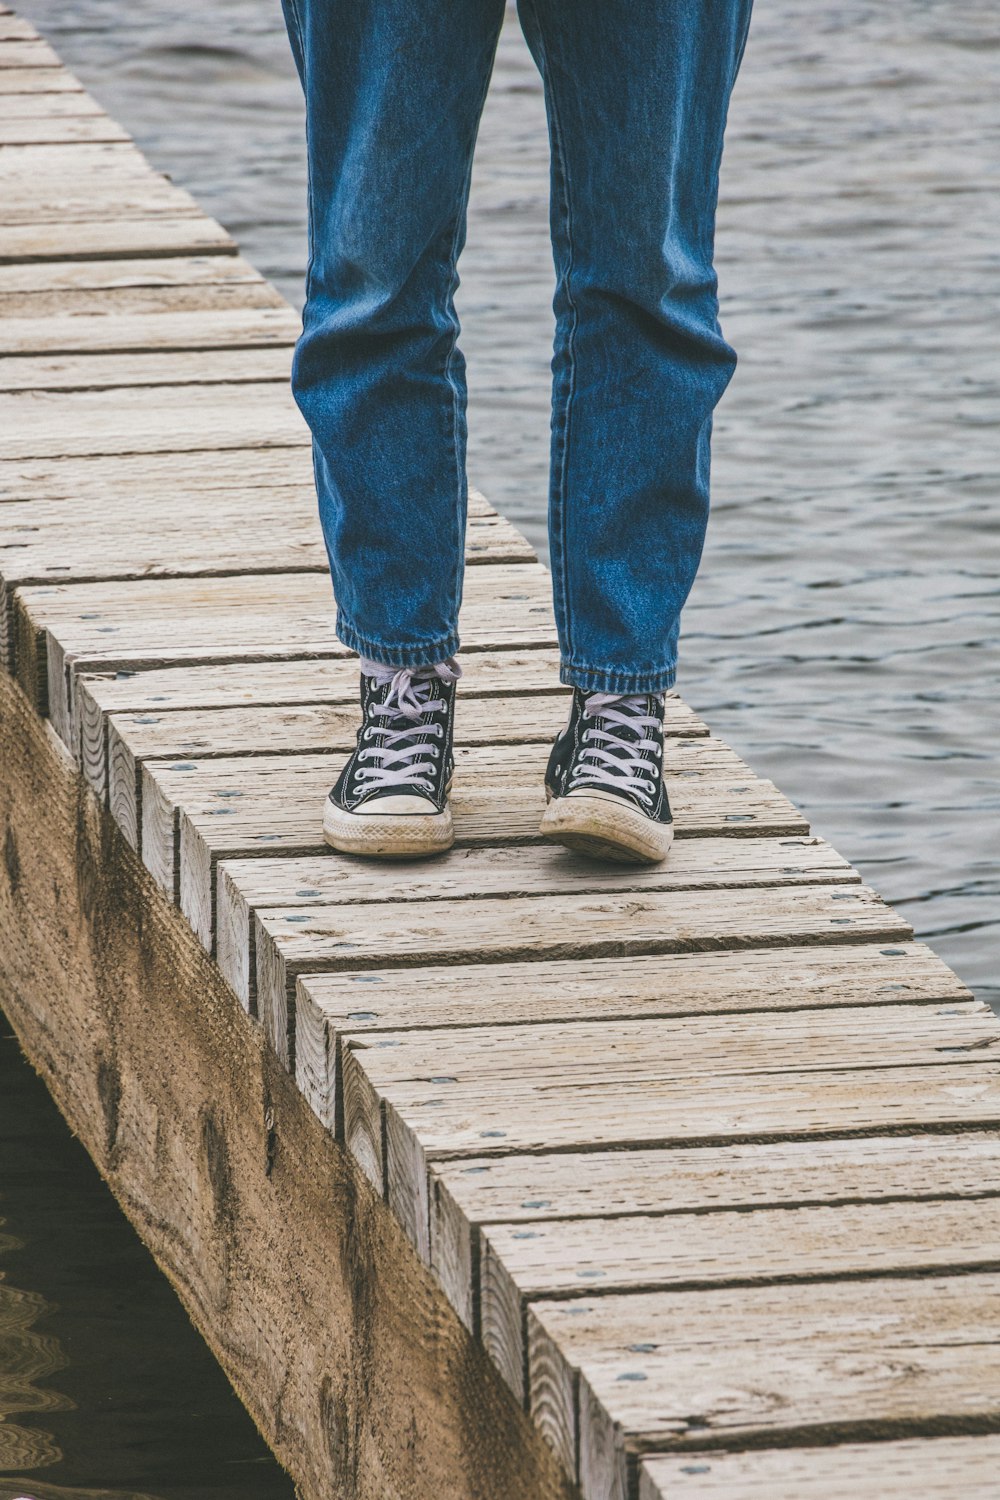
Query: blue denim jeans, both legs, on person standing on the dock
{"points": [[636, 95]]}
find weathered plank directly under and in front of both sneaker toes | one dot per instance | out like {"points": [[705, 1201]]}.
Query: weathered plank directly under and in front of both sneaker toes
{"points": [[245, 886]]}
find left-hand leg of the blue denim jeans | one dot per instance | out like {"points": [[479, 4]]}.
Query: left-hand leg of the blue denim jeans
{"points": [[394, 100]]}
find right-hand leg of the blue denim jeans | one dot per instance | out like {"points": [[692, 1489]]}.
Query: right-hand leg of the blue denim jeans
{"points": [[638, 94]]}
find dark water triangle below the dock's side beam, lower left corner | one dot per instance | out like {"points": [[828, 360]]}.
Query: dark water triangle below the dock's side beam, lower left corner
{"points": [[107, 1393]]}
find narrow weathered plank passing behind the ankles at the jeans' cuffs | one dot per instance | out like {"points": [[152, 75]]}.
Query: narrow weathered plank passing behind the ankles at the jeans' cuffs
{"points": [[272, 685]]}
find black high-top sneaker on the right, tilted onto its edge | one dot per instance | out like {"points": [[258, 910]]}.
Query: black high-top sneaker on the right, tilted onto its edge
{"points": [[605, 779]]}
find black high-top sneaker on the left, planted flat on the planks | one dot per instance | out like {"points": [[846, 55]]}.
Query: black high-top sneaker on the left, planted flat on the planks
{"points": [[392, 797]]}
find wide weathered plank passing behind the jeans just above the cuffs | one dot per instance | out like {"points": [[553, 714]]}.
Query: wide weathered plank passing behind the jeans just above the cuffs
{"points": [[68, 629]]}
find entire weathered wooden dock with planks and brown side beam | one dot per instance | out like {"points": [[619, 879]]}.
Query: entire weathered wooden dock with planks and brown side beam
{"points": [[507, 1177]]}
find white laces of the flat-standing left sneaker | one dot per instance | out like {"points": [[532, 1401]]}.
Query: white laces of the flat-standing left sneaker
{"points": [[407, 754]]}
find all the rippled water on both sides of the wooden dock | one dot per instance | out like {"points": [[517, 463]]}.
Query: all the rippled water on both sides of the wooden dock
{"points": [[845, 629]]}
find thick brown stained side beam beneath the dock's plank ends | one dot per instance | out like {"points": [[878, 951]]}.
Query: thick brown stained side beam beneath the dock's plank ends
{"points": [[301, 1282]]}
